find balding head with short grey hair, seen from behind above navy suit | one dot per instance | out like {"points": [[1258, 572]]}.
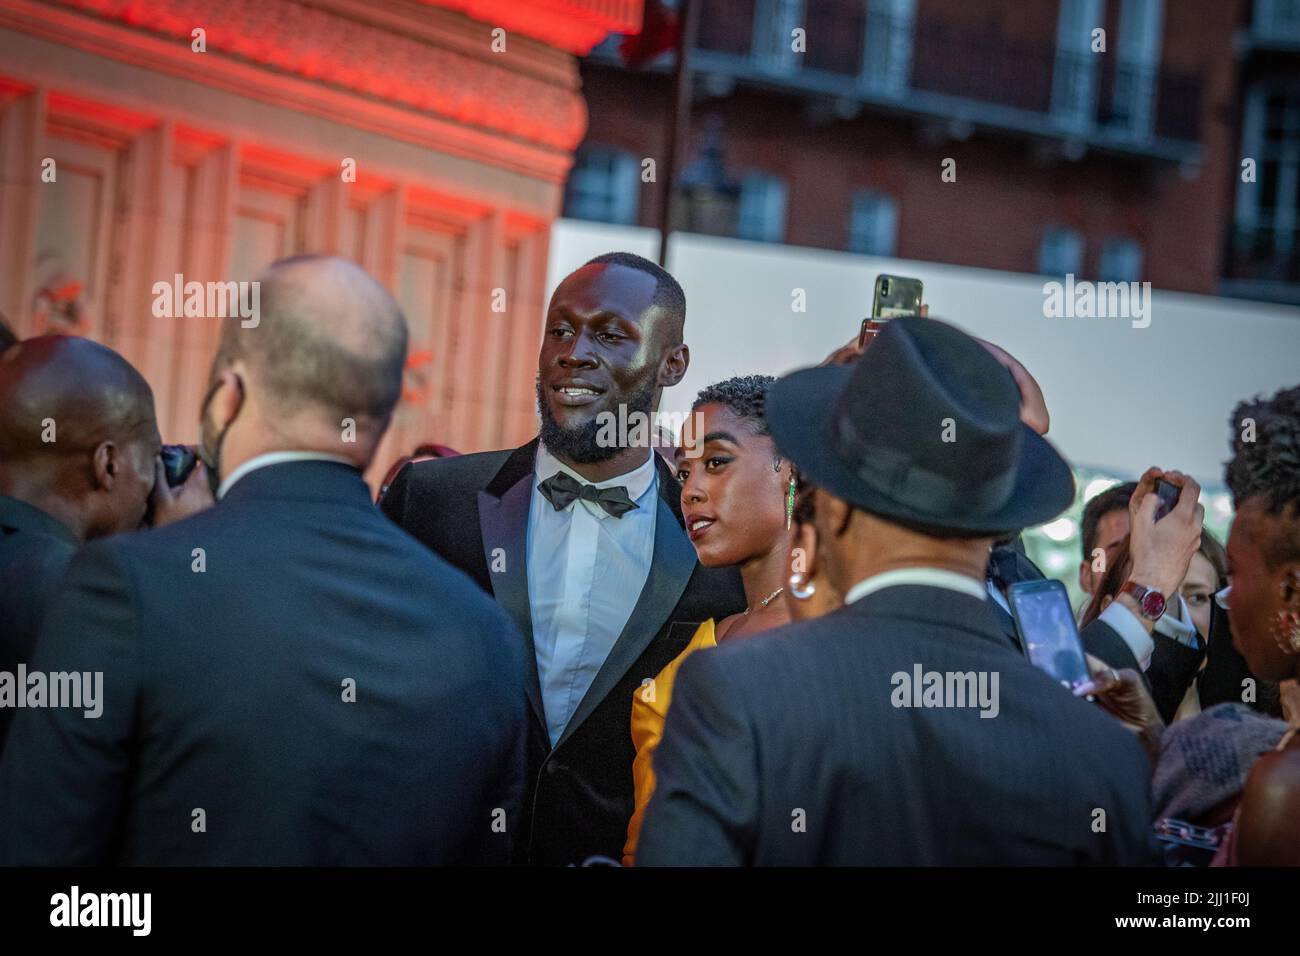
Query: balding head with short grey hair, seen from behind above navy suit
{"points": [[331, 341]]}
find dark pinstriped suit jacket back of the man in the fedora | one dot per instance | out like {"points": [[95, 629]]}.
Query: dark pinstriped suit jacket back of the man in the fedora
{"points": [[788, 750]]}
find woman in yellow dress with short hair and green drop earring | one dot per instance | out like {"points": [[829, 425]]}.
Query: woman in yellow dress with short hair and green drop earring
{"points": [[739, 503]]}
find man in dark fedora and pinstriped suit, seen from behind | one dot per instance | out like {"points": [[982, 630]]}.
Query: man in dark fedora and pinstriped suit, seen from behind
{"points": [[860, 738]]}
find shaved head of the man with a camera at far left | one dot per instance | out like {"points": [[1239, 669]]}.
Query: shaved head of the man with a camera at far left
{"points": [[77, 432]]}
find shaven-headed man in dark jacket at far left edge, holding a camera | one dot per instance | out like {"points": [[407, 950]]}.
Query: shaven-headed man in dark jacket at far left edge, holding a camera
{"points": [[79, 443]]}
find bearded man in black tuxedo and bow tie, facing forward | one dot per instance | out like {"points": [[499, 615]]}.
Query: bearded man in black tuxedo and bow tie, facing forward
{"points": [[579, 535]]}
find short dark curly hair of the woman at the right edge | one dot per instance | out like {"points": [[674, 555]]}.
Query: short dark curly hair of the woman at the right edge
{"points": [[1267, 462]]}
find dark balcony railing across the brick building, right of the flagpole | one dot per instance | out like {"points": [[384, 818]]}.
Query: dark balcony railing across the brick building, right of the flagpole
{"points": [[852, 53]]}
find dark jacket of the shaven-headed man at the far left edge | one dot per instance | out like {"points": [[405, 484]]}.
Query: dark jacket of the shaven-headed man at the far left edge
{"points": [[34, 553]]}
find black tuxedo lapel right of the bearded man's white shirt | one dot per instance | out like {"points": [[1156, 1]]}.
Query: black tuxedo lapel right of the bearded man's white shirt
{"points": [[671, 566]]}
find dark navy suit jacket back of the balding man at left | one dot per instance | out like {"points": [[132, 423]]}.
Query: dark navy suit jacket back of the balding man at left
{"points": [[226, 689]]}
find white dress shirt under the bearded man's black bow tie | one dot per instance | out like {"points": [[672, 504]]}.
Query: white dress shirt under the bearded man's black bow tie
{"points": [[586, 573]]}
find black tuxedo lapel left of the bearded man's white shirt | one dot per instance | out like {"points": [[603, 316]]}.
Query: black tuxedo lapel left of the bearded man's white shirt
{"points": [[504, 524]]}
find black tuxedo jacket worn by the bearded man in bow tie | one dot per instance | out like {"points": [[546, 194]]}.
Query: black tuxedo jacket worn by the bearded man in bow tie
{"points": [[474, 512]]}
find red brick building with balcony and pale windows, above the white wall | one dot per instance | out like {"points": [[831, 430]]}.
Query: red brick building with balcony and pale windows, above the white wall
{"points": [[1112, 165]]}
